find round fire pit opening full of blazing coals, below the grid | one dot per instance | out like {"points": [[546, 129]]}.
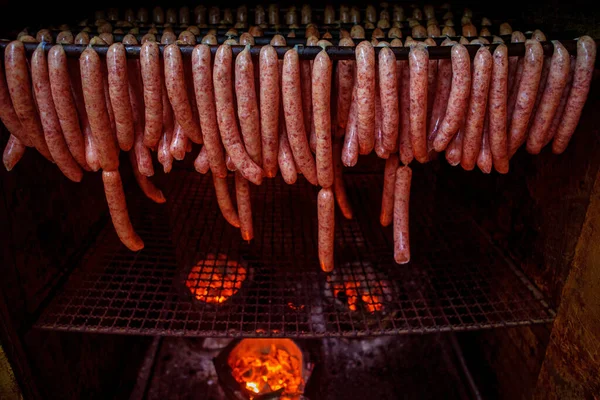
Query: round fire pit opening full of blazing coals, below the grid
{"points": [[267, 367]]}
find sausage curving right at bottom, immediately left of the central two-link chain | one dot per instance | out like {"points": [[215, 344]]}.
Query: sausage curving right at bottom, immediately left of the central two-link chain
{"points": [[292, 106]]}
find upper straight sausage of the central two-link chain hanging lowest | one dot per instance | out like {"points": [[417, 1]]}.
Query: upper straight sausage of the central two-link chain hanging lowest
{"points": [[321, 94]]}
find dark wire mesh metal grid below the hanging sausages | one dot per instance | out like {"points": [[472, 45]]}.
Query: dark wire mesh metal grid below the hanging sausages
{"points": [[456, 281]]}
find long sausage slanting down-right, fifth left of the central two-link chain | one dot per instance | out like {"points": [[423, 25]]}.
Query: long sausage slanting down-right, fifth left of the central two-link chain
{"points": [[202, 73]]}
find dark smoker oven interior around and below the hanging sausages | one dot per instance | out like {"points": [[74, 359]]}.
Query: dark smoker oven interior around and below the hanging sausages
{"points": [[499, 265]]}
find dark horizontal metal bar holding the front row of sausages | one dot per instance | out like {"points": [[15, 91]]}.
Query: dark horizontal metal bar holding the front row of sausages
{"points": [[310, 52]]}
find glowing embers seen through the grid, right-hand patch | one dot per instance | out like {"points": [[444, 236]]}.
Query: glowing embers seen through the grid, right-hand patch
{"points": [[361, 286]]}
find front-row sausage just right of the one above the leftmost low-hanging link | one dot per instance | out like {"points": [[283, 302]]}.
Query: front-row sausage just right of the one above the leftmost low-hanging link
{"points": [[118, 85]]}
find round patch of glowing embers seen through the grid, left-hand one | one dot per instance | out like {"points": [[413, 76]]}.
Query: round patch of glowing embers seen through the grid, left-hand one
{"points": [[215, 279]]}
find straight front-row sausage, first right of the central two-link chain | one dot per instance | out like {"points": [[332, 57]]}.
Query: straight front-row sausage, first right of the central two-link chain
{"points": [[365, 96]]}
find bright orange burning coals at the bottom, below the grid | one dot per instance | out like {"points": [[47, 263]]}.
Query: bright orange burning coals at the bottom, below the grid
{"points": [[266, 369]]}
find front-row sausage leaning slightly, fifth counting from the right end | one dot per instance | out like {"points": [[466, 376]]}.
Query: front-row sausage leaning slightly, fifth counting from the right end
{"points": [[473, 131]]}
